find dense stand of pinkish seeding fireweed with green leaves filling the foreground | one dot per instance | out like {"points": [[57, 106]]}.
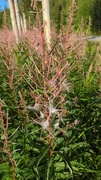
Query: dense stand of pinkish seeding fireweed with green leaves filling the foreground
{"points": [[49, 108]]}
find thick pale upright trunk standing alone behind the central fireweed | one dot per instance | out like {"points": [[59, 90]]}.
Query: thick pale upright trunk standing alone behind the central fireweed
{"points": [[46, 22]]}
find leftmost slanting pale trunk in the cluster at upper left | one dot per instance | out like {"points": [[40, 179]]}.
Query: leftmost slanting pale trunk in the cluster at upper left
{"points": [[13, 19]]}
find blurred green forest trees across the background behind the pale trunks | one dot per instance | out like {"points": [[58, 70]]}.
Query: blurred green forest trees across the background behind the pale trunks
{"points": [[59, 11]]}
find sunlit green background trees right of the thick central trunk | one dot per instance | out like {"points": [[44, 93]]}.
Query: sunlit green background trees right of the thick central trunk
{"points": [[86, 10]]}
